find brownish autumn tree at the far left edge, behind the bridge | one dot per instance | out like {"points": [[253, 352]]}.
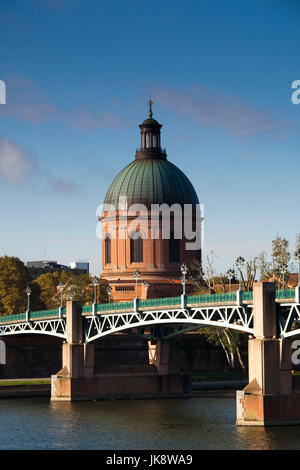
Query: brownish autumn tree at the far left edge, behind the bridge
{"points": [[14, 277]]}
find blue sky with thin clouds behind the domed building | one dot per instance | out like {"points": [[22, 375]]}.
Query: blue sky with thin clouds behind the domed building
{"points": [[79, 74]]}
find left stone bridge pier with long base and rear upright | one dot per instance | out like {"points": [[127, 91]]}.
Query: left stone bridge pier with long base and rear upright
{"points": [[77, 380]]}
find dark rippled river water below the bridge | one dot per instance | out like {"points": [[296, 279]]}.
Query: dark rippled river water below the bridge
{"points": [[202, 422]]}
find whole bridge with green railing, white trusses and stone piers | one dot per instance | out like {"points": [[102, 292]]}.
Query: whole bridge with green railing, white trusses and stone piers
{"points": [[270, 318]]}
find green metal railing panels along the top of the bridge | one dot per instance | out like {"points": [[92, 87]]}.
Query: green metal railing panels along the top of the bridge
{"points": [[281, 294]]}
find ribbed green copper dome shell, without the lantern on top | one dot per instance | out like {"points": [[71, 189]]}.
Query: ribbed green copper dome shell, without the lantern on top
{"points": [[151, 181]]}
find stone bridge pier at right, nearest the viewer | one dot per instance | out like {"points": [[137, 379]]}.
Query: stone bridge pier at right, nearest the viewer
{"points": [[272, 396]]}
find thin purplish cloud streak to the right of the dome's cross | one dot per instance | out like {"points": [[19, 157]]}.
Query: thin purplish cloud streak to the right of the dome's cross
{"points": [[213, 109]]}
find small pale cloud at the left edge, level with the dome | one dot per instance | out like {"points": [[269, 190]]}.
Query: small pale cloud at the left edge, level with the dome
{"points": [[15, 162]]}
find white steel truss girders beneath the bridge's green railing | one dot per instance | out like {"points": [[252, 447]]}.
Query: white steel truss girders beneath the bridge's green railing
{"points": [[235, 317]]}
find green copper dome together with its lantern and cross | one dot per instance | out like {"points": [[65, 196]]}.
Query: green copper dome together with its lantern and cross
{"points": [[151, 178]]}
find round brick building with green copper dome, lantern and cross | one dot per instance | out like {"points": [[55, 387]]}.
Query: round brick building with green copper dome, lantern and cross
{"points": [[137, 255]]}
